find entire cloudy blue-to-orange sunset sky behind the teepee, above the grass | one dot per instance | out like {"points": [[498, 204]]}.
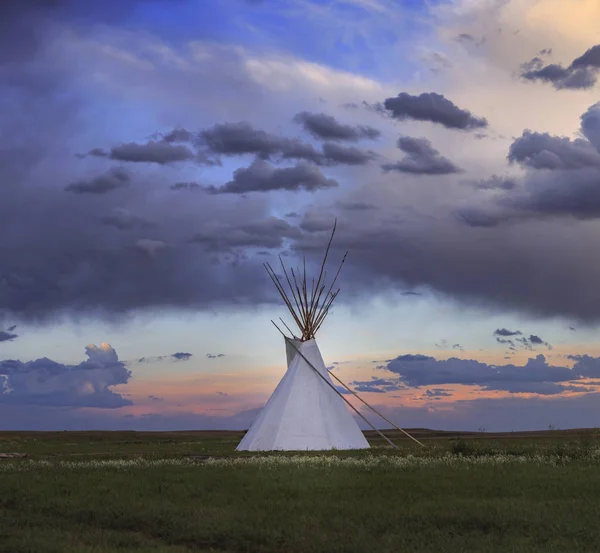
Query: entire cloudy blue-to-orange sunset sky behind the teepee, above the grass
{"points": [[154, 154]]}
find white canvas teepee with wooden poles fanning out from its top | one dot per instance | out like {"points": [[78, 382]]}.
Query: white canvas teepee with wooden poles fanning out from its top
{"points": [[306, 411]]}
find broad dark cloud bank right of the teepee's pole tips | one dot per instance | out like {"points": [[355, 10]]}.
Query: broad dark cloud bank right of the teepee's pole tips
{"points": [[511, 268]]}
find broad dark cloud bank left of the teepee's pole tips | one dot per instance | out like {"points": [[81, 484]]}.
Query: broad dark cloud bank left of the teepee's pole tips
{"points": [[78, 269]]}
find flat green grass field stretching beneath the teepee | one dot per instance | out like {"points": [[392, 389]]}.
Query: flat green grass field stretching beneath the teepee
{"points": [[189, 491]]}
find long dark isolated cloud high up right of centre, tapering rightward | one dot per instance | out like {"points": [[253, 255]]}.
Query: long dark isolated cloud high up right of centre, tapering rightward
{"points": [[434, 108]]}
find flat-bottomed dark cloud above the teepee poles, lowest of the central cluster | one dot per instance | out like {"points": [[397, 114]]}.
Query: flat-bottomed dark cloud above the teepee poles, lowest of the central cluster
{"points": [[261, 176]]}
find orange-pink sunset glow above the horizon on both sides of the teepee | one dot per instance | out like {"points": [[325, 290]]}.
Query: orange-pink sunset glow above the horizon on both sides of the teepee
{"points": [[227, 393]]}
